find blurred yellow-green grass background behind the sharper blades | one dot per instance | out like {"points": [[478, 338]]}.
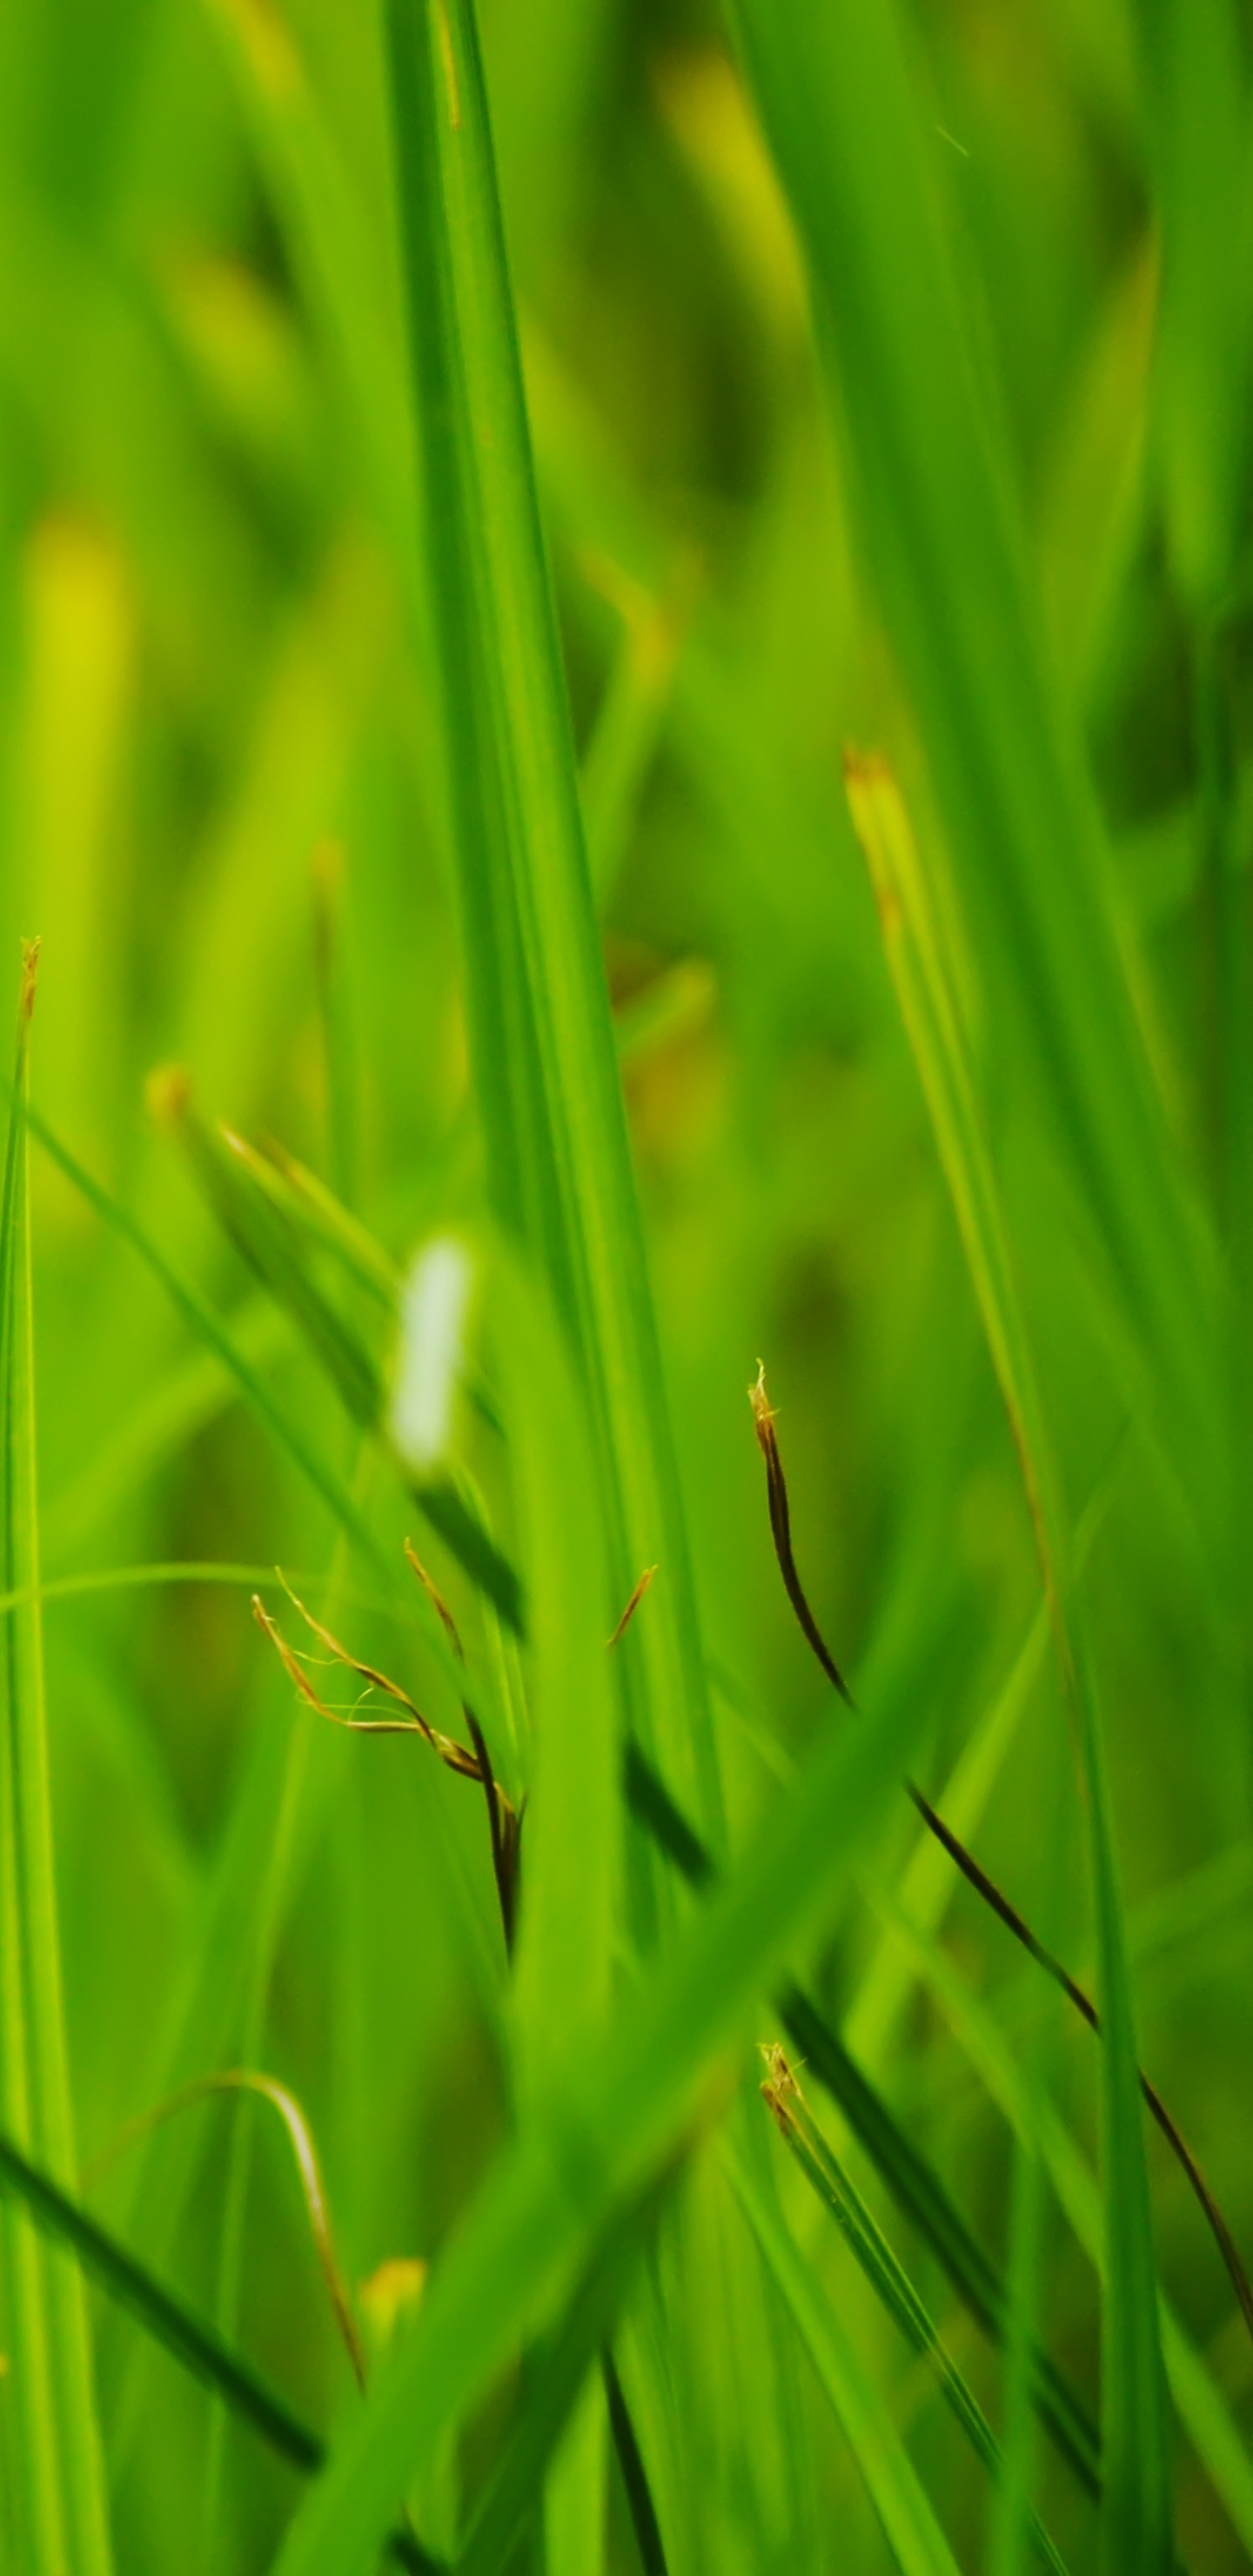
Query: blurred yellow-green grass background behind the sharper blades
{"points": [[218, 810]]}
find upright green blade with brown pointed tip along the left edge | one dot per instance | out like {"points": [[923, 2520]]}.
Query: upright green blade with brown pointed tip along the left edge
{"points": [[58, 2448]]}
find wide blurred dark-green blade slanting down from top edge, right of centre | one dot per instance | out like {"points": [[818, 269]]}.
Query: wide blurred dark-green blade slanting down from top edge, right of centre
{"points": [[945, 540]]}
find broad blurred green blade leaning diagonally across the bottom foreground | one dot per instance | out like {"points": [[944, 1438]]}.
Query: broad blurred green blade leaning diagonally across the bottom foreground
{"points": [[612, 2121]]}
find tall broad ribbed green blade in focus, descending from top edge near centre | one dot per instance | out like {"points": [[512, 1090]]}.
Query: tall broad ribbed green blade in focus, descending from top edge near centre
{"points": [[540, 1021]]}
